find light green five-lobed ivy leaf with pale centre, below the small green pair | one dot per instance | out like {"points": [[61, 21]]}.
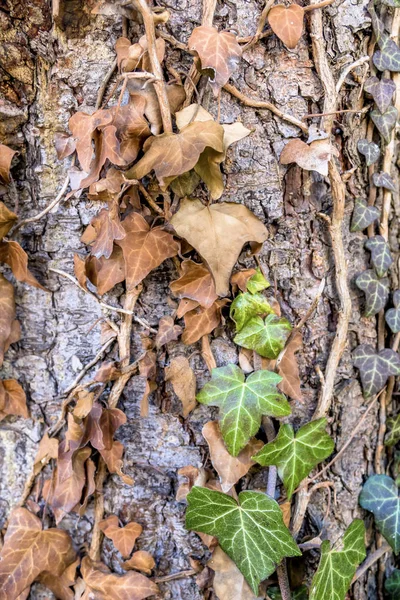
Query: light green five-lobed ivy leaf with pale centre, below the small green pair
{"points": [[243, 403]]}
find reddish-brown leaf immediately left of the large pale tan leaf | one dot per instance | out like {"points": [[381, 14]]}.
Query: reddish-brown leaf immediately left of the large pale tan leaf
{"points": [[144, 249]]}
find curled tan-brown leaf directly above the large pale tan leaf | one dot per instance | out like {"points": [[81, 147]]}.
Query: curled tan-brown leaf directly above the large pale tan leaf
{"points": [[172, 154]]}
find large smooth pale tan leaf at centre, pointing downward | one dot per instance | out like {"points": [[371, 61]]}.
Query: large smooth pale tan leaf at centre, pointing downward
{"points": [[218, 233]]}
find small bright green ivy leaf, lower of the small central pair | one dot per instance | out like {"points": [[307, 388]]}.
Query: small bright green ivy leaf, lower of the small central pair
{"points": [[267, 338]]}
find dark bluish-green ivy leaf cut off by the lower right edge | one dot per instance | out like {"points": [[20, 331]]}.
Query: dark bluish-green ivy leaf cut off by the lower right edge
{"points": [[380, 496]]}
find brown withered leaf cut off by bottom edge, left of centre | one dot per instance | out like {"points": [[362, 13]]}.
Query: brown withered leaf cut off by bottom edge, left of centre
{"points": [[104, 585]]}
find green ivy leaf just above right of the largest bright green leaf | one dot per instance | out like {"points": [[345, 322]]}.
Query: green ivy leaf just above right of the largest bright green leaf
{"points": [[296, 455]]}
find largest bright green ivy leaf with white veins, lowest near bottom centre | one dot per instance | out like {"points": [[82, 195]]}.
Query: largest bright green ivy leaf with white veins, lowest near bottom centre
{"points": [[251, 532]]}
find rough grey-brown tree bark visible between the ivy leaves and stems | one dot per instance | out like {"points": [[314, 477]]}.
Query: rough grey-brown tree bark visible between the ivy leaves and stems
{"points": [[51, 69]]}
